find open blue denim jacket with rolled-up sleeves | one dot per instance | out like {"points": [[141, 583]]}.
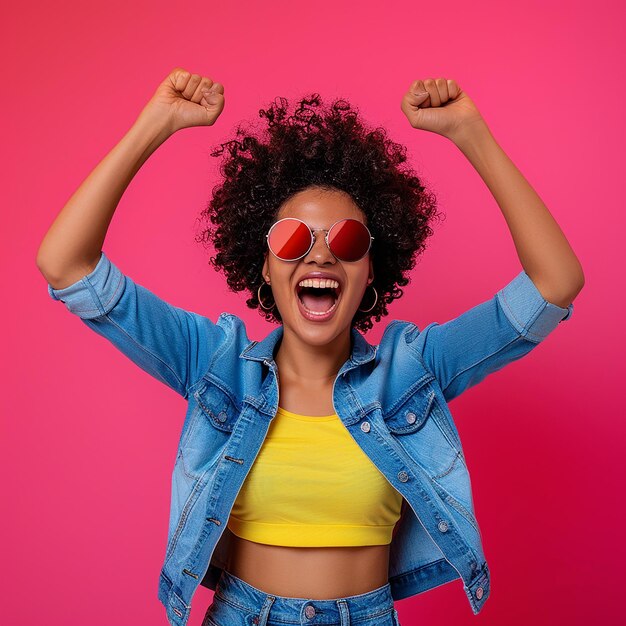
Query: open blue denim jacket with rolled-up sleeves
{"points": [[392, 397]]}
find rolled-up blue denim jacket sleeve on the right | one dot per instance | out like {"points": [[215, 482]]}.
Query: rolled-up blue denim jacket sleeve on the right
{"points": [[463, 351]]}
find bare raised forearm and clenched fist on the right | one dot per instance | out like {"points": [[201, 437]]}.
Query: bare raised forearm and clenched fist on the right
{"points": [[543, 249]]}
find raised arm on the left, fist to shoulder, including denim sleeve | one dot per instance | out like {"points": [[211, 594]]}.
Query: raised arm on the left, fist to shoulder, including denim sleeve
{"points": [[171, 344]]}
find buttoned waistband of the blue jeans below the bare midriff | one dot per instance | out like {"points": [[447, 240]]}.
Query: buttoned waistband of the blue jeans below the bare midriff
{"points": [[305, 610]]}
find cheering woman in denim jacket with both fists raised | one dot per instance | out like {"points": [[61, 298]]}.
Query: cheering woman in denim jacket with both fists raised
{"points": [[318, 478]]}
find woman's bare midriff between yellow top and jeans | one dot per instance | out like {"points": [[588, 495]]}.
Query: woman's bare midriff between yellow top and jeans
{"points": [[315, 573]]}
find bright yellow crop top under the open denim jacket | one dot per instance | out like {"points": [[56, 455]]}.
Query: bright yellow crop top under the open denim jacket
{"points": [[312, 485]]}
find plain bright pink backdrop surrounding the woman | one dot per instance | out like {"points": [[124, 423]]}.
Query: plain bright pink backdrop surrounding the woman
{"points": [[88, 439]]}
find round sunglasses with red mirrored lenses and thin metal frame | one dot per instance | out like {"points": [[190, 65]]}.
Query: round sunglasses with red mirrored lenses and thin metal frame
{"points": [[290, 239]]}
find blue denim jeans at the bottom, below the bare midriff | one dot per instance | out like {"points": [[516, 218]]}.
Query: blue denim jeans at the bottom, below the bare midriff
{"points": [[236, 603]]}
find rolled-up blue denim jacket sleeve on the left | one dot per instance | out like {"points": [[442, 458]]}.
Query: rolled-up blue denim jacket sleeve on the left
{"points": [[171, 344]]}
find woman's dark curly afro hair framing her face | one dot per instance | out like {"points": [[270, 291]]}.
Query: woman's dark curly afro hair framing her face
{"points": [[329, 148]]}
